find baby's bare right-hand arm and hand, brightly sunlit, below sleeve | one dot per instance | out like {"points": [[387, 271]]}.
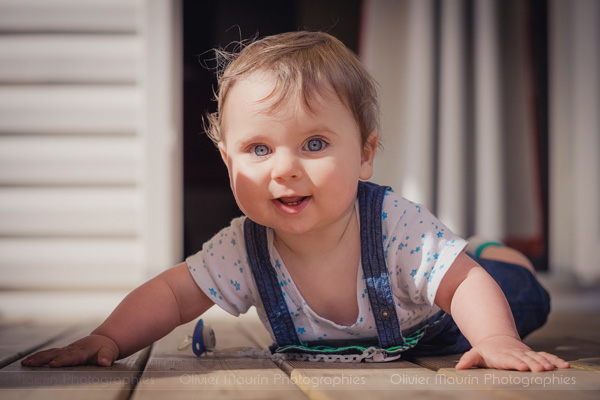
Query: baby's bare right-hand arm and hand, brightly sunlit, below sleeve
{"points": [[483, 315]]}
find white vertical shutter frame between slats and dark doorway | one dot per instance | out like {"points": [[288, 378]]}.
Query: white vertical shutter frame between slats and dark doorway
{"points": [[161, 127]]}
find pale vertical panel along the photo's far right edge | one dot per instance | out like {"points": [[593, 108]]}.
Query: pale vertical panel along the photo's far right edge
{"points": [[575, 139]]}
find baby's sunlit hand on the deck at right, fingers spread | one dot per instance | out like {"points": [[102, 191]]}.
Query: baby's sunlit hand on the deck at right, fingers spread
{"points": [[505, 352]]}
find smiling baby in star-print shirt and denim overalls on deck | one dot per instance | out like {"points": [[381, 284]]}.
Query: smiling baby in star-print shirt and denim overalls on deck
{"points": [[324, 256]]}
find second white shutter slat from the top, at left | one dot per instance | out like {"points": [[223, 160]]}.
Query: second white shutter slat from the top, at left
{"points": [[61, 58]]}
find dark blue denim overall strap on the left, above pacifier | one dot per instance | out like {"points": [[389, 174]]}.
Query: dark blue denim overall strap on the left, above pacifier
{"points": [[267, 284]]}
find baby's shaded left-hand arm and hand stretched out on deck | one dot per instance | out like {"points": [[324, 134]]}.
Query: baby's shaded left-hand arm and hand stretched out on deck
{"points": [[145, 315]]}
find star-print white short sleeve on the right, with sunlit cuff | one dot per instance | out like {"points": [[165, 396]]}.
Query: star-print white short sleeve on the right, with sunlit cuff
{"points": [[419, 248]]}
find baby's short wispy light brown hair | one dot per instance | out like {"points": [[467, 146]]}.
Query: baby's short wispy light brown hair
{"points": [[305, 64]]}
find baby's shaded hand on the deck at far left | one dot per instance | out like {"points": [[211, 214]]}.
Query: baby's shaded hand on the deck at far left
{"points": [[93, 349]]}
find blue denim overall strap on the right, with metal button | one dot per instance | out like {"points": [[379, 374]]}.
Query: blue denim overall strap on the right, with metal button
{"points": [[379, 289]]}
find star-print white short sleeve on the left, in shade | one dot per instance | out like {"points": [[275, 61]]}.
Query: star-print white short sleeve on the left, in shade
{"points": [[222, 272]]}
